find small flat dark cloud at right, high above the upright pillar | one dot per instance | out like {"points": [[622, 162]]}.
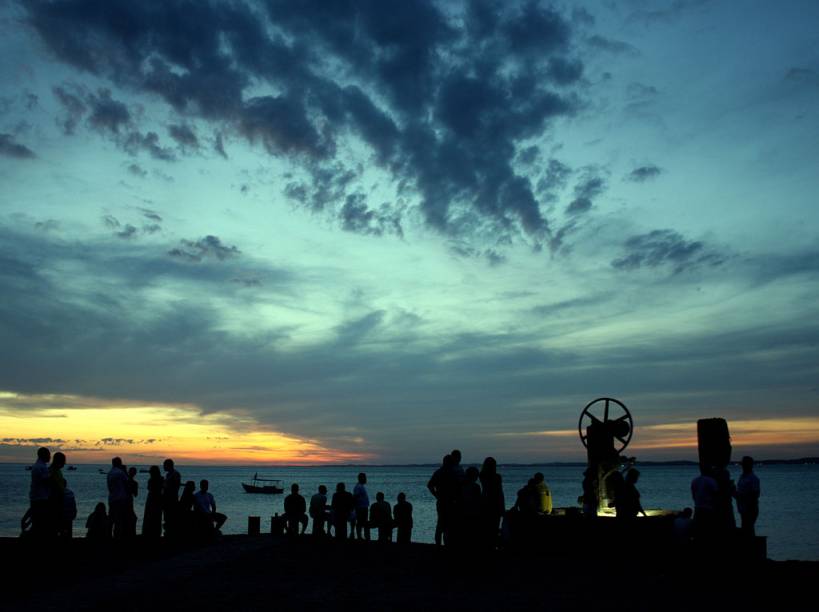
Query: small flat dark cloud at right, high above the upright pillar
{"points": [[660, 248]]}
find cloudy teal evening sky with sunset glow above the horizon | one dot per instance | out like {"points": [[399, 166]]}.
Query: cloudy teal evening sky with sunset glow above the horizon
{"points": [[366, 231]]}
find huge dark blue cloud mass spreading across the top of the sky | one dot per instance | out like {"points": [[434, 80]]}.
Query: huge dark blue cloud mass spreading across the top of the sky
{"points": [[441, 103]]}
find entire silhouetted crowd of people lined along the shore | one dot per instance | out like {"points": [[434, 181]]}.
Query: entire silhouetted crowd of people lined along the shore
{"points": [[470, 505]]}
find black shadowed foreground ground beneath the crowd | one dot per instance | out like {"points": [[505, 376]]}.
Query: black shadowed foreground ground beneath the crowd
{"points": [[275, 573]]}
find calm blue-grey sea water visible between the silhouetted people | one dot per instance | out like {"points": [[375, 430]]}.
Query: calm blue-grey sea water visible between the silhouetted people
{"points": [[790, 495]]}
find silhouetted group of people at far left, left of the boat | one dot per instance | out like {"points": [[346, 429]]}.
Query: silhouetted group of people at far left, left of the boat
{"points": [[53, 507]]}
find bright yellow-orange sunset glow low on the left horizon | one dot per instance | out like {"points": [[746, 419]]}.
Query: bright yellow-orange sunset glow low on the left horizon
{"points": [[90, 431]]}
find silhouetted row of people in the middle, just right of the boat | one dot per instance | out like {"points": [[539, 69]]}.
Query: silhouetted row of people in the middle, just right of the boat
{"points": [[349, 509]]}
